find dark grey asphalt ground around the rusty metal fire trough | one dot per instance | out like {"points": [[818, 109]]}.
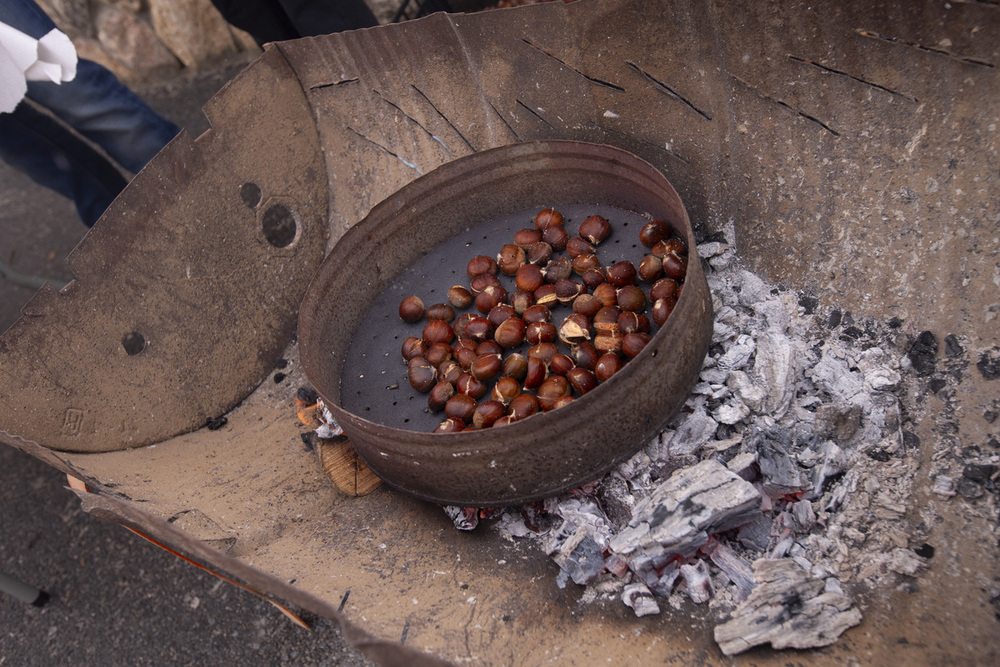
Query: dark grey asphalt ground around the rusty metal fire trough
{"points": [[115, 598]]}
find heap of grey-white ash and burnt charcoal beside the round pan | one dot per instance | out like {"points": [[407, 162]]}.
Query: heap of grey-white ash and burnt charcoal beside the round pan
{"points": [[796, 423]]}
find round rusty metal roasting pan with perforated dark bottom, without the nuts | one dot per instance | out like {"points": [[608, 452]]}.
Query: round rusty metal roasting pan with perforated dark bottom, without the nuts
{"points": [[444, 214]]}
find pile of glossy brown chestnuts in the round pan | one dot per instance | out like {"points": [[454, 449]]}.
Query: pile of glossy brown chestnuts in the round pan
{"points": [[569, 325]]}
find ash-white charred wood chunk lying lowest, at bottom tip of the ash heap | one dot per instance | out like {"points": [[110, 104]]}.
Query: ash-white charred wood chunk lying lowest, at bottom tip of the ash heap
{"points": [[788, 608]]}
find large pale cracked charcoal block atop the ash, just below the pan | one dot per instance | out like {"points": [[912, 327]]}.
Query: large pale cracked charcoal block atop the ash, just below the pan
{"points": [[677, 518]]}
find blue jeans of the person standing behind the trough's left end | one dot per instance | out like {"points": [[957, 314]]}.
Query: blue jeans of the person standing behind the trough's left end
{"points": [[94, 104]]}
